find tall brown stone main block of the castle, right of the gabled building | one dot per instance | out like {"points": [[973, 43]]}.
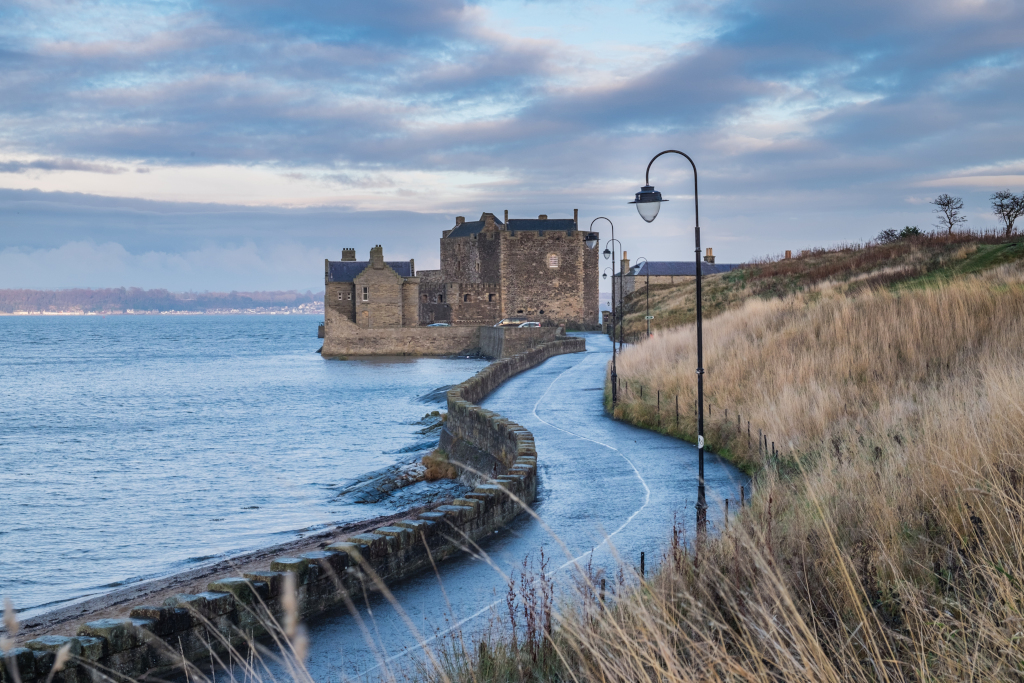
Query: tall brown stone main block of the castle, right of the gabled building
{"points": [[538, 269]]}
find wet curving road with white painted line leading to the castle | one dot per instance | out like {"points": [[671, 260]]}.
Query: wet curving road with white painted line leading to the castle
{"points": [[606, 489]]}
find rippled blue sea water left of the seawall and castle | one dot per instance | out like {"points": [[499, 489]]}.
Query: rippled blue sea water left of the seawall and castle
{"points": [[135, 447]]}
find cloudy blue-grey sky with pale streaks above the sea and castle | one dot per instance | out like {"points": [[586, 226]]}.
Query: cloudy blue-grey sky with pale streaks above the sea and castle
{"points": [[234, 145]]}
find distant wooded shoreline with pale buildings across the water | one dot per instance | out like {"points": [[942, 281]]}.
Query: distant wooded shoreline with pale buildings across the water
{"points": [[139, 301]]}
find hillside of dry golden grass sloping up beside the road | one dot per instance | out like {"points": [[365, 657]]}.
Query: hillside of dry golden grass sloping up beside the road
{"points": [[885, 537]]}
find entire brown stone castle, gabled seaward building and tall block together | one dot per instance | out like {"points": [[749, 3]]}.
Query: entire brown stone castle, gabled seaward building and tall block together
{"points": [[539, 270]]}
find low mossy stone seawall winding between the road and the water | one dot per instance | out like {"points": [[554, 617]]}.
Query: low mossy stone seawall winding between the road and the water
{"points": [[152, 641]]}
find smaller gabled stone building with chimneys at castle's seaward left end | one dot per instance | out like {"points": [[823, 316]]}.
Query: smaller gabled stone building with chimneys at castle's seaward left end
{"points": [[370, 294]]}
